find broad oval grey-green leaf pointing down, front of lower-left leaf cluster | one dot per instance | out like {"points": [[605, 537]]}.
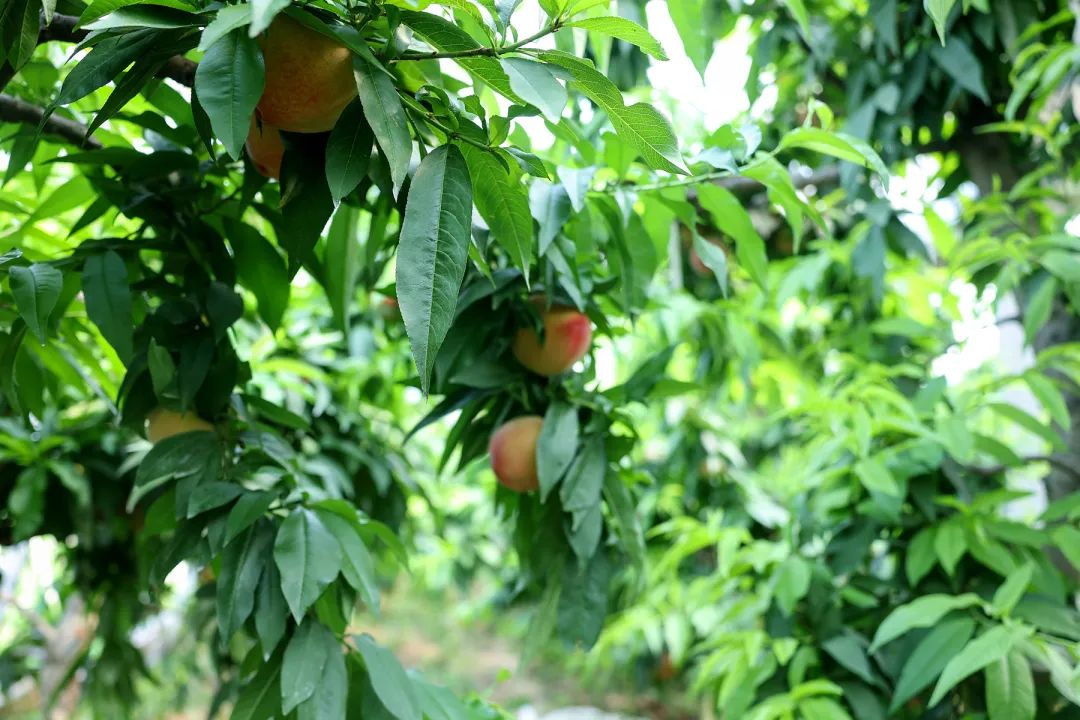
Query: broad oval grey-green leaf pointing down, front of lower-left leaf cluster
{"points": [[308, 559]]}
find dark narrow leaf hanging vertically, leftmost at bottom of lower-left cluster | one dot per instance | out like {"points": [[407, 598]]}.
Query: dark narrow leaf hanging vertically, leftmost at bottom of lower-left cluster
{"points": [[242, 564]]}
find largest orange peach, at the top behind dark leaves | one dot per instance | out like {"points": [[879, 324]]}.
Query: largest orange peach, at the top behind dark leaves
{"points": [[309, 78]]}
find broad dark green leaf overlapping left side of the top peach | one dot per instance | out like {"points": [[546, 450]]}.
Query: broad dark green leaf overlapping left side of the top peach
{"points": [[229, 83]]}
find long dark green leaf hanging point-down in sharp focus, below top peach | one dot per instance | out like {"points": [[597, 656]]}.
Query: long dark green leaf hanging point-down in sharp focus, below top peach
{"points": [[433, 253]]}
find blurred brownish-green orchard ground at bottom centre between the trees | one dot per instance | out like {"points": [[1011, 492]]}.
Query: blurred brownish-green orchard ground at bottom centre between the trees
{"points": [[458, 644]]}
